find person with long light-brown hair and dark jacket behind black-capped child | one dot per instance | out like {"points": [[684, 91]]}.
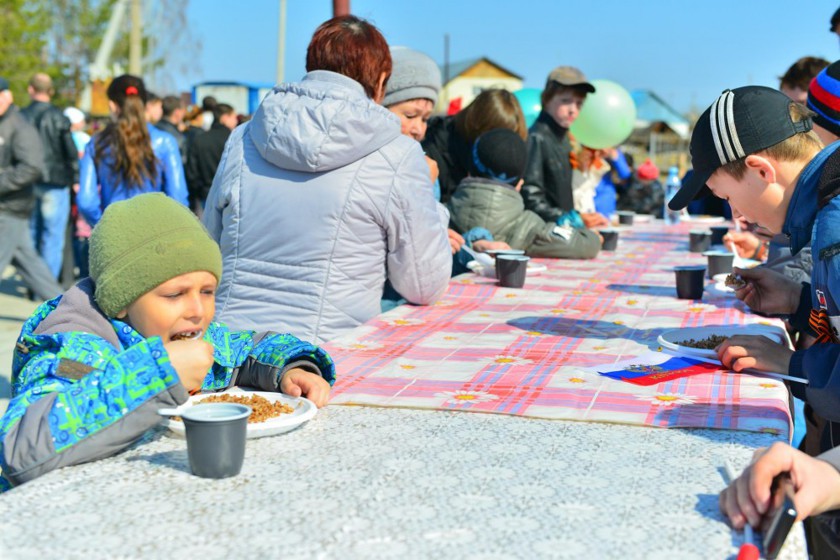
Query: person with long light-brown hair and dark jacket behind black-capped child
{"points": [[449, 139]]}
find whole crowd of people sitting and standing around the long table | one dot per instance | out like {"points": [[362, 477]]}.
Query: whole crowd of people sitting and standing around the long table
{"points": [[342, 196]]}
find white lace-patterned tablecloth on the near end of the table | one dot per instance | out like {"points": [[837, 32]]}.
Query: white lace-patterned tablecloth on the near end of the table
{"points": [[396, 483]]}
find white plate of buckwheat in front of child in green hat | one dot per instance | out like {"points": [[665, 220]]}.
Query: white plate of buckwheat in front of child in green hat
{"points": [[272, 413]]}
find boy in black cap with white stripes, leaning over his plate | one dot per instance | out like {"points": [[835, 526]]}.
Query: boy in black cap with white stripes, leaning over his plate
{"points": [[755, 148]]}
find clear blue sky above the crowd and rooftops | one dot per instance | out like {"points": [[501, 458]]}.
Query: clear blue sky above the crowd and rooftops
{"points": [[685, 51]]}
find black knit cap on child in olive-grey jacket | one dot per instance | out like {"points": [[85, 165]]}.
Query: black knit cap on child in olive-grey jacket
{"points": [[499, 154]]}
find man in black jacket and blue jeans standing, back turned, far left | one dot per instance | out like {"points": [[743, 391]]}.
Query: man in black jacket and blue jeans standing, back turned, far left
{"points": [[61, 171]]}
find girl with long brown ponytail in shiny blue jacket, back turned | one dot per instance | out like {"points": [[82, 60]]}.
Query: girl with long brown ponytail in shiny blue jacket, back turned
{"points": [[130, 156]]}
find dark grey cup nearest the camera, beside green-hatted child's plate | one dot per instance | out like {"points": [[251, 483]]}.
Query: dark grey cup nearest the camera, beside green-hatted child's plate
{"points": [[216, 434]]}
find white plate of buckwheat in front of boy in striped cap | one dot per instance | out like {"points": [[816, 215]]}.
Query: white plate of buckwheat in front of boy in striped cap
{"points": [[702, 341]]}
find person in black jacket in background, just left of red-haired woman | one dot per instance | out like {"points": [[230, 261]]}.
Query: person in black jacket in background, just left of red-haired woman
{"points": [[206, 153]]}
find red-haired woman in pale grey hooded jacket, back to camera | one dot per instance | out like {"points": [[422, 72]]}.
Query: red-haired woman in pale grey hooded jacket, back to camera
{"points": [[319, 198]]}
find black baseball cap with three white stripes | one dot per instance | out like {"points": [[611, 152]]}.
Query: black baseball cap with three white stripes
{"points": [[739, 123]]}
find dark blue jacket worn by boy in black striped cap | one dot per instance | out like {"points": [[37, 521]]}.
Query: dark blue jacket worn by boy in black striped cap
{"points": [[807, 222]]}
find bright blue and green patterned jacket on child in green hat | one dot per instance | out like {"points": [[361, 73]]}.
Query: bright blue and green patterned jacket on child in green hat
{"points": [[85, 387]]}
